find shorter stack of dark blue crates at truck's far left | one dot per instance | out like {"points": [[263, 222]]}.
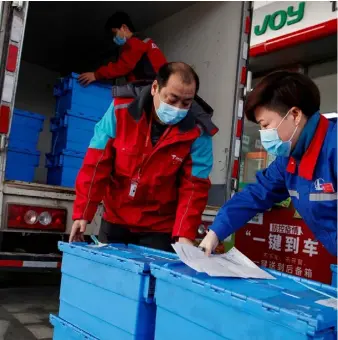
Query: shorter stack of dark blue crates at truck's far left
{"points": [[23, 156]]}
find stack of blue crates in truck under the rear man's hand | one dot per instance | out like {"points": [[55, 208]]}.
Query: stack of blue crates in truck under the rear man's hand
{"points": [[78, 109]]}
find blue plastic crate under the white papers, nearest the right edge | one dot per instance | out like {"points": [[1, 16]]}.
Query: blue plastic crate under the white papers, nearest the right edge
{"points": [[204, 307]]}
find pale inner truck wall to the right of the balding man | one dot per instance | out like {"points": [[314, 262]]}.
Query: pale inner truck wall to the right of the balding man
{"points": [[206, 36]]}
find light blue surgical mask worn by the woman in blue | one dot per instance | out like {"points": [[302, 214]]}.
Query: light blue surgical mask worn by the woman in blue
{"points": [[272, 142]]}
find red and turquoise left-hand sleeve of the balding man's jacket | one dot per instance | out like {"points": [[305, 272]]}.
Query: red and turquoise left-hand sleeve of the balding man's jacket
{"points": [[96, 168]]}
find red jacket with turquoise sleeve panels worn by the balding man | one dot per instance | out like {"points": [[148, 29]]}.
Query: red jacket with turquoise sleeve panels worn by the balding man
{"points": [[161, 188]]}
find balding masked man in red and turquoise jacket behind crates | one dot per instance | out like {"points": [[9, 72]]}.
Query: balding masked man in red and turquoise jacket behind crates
{"points": [[149, 161]]}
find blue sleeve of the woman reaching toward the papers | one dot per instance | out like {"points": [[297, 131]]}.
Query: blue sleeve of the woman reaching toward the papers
{"points": [[269, 189]]}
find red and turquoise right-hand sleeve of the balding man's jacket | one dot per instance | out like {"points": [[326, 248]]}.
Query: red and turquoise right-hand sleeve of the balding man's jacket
{"points": [[193, 188]]}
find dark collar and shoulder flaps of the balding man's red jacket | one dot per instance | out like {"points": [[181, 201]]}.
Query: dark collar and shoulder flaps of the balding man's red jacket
{"points": [[200, 112]]}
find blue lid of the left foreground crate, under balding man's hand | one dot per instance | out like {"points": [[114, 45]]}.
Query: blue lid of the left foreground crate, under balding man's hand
{"points": [[132, 258]]}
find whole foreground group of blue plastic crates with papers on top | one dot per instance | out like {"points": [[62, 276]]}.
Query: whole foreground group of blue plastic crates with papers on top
{"points": [[136, 293]]}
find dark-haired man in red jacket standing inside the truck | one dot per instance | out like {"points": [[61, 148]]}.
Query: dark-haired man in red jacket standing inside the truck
{"points": [[140, 58]]}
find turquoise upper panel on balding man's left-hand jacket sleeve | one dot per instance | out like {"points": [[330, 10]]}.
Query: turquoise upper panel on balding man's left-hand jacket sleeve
{"points": [[104, 129]]}
